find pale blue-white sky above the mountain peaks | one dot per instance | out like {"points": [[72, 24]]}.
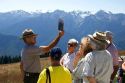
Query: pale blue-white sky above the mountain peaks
{"points": [[115, 6]]}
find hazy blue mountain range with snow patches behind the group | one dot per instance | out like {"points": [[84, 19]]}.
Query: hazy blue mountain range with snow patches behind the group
{"points": [[77, 25]]}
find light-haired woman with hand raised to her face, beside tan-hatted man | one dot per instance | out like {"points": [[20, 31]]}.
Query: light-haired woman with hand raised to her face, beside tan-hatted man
{"points": [[79, 59]]}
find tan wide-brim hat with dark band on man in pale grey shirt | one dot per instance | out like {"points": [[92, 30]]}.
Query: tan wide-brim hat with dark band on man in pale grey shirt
{"points": [[99, 37]]}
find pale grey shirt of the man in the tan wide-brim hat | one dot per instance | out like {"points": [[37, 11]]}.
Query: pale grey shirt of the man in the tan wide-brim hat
{"points": [[98, 64]]}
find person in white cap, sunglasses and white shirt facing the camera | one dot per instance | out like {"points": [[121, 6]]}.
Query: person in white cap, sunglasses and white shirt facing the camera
{"points": [[68, 58]]}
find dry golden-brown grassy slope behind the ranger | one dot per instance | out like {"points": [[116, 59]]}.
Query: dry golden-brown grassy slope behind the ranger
{"points": [[10, 73]]}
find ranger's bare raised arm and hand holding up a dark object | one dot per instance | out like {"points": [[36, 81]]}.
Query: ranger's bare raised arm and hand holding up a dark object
{"points": [[53, 43]]}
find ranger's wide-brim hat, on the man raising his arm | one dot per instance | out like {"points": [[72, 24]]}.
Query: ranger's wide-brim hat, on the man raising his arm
{"points": [[26, 33]]}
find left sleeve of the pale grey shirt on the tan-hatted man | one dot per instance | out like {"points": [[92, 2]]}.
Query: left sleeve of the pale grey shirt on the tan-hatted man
{"points": [[89, 65]]}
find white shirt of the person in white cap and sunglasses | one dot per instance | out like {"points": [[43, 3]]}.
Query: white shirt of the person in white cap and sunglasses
{"points": [[68, 60]]}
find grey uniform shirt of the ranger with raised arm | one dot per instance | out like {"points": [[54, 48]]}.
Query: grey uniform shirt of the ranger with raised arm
{"points": [[30, 56]]}
